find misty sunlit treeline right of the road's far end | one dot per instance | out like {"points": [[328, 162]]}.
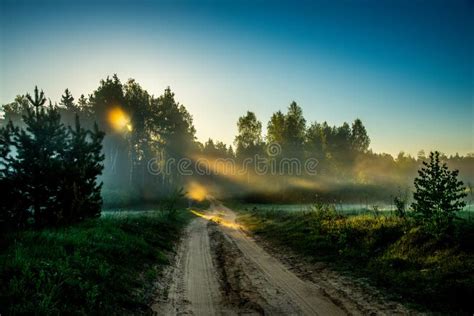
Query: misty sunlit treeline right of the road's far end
{"points": [[347, 169]]}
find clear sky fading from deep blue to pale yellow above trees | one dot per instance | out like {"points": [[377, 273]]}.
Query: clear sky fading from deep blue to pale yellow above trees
{"points": [[404, 67]]}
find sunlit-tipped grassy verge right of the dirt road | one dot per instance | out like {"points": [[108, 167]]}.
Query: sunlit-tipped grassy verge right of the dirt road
{"points": [[391, 253]]}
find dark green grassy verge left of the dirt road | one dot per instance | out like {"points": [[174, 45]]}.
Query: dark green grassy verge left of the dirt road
{"points": [[101, 266]]}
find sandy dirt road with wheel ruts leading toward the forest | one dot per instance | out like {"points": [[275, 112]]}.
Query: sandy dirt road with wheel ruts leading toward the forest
{"points": [[220, 270]]}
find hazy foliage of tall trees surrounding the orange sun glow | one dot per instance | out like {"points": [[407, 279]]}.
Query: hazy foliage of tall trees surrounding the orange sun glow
{"points": [[160, 128]]}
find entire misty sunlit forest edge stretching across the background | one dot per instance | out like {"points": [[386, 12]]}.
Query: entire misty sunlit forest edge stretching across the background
{"points": [[140, 128]]}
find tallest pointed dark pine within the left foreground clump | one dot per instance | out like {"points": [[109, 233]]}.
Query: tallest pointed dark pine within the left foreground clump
{"points": [[39, 160]]}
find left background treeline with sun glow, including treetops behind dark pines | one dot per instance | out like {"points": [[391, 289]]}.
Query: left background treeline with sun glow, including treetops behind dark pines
{"points": [[138, 127]]}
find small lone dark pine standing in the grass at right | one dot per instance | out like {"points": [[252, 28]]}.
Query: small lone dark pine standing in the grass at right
{"points": [[438, 196]]}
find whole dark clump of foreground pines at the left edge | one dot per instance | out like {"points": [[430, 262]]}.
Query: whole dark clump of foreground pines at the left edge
{"points": [[52, 170]]}
